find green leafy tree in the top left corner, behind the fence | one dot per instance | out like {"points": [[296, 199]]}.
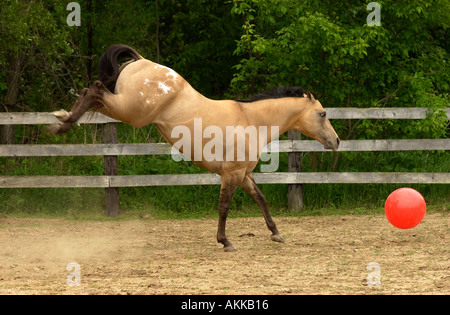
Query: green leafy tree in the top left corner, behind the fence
{"points": [[31, 44]]}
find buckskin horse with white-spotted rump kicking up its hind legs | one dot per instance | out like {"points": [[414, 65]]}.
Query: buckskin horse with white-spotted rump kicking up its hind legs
{"points": [[141, 92]]}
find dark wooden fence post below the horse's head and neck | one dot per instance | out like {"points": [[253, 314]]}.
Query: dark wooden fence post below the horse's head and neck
{"points": [[295, 191]]}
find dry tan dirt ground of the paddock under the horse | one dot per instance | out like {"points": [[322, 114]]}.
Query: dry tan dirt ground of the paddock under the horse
{"points": [[322, 255]]}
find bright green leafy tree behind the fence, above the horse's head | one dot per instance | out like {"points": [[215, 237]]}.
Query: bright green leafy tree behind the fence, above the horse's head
{"points": [[330, 49]]}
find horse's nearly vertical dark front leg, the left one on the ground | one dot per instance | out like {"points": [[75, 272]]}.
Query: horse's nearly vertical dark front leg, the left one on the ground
{"points": [[229, 185]]}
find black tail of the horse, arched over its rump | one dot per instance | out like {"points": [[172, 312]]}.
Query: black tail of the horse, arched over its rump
{"points": [[108, 65]]}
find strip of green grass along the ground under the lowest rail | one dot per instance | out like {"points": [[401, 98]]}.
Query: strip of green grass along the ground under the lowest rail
{"points": [[147, 203]]}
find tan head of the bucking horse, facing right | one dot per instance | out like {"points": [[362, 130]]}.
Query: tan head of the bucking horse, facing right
{"points": [[314, 123]]}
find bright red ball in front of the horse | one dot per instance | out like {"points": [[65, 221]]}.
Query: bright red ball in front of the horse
{"points": [[405, 208]]}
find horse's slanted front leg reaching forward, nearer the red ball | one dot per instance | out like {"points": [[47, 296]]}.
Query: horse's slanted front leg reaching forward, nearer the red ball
{"points": [[253, 191]]}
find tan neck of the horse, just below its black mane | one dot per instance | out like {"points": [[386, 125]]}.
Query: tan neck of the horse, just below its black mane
{"points": [[281, 112]]}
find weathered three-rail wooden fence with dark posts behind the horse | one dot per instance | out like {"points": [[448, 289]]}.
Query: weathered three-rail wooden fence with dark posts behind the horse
{"points": [[294, 147]]}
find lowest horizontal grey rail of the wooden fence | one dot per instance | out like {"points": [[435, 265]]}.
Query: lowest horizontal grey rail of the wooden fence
{"points": [[213, 179]]}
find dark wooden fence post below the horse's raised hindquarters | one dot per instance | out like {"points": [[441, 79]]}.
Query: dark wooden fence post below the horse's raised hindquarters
{"points": [[112, 205]]}
